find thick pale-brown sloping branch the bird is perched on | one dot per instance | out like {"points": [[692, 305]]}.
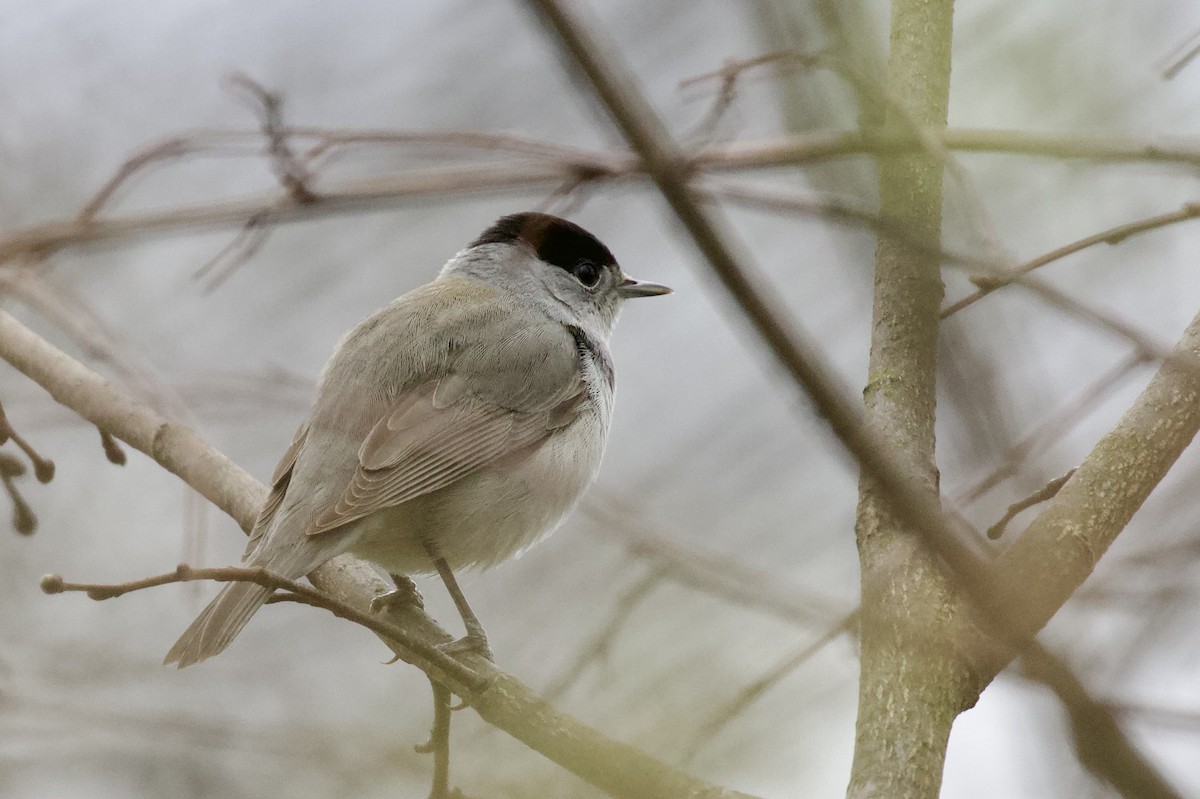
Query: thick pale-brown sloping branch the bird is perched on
{"points": [[507, 704]]}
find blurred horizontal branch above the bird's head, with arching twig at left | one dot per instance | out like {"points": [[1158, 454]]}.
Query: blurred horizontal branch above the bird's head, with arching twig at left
{"points": [[553, 167]]}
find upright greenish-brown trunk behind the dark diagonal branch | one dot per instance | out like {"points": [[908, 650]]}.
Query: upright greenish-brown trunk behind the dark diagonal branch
{"points": [[911, 678]]}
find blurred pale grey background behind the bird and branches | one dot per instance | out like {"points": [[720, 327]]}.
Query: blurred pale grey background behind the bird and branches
{"points": [[637, 616]]}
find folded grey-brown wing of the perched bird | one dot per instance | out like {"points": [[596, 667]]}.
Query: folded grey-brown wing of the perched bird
{"points": [[494, 402]]}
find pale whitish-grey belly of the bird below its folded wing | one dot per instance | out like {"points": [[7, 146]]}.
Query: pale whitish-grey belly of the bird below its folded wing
{"points": [[491, 515]]}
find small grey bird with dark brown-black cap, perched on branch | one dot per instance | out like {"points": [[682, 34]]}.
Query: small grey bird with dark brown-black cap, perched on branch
{"points": [[452, 430]]}
